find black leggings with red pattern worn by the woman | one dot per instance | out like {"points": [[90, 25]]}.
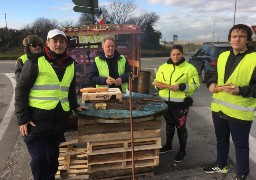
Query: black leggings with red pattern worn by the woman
{"points": [[176, 118]]}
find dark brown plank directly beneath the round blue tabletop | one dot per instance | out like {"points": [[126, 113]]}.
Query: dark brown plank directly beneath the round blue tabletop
{"points": [[117, 127]]}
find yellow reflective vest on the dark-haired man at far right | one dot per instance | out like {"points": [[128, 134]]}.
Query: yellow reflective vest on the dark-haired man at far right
{"points": [[235, 106]]}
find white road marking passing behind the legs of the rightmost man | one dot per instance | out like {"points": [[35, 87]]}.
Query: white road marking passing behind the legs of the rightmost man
{"points": [[205, 112]]}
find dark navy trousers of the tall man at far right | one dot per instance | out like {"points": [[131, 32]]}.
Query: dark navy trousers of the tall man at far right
{"points": [[240, 131]]}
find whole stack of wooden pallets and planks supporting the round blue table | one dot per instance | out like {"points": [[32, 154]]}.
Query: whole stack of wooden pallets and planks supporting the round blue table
{"points": [[109, 147]]}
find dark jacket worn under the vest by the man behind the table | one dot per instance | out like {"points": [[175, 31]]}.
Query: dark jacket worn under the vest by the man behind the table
{"points": [[113, 70]]}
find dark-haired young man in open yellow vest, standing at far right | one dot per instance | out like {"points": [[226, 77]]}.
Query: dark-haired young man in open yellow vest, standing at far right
{"points": [[234, 100]]}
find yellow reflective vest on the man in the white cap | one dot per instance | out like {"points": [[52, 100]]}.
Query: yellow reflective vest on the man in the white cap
{"points": [[48, 91]]}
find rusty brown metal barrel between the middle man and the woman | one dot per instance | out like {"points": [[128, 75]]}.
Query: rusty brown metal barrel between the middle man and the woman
{"points": [[144, 82]]}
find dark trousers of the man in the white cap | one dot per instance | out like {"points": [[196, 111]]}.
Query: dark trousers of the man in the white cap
{"points": [[44, 152]]}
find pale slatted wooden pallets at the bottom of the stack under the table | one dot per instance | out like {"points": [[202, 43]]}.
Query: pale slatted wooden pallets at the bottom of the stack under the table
{"points": [[104, 156]]}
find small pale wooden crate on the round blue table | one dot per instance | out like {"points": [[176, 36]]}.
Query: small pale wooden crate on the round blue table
{"points": [[113, 94]]}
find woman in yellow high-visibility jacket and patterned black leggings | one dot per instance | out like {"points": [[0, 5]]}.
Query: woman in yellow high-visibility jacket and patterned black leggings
{"points": [[177, 81]]}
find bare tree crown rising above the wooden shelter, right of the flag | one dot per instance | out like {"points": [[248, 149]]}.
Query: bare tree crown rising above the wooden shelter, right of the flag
{"points": [[120, 11]]}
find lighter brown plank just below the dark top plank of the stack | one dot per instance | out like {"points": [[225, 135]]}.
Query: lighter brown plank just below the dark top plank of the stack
{"points": [[119, 136]]}
